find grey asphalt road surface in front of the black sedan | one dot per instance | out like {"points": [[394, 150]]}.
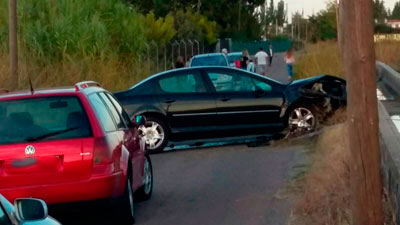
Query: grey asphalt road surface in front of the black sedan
{"points": [[231, 185]]}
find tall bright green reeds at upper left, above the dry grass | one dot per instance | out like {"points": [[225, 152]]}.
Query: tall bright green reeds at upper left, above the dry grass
{"points": [[97, 28]]}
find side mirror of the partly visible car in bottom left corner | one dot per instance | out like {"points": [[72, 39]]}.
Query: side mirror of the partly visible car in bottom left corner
{"points": [[30, 209]]}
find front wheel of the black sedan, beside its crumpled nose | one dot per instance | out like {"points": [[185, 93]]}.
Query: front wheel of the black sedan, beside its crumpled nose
{"points": [[301, 120]]}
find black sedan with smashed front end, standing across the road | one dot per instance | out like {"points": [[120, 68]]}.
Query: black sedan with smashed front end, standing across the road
{"points": [[210, 102]]}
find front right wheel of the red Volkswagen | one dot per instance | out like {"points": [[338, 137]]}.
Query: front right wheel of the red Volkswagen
{"points": [[144, 192]]}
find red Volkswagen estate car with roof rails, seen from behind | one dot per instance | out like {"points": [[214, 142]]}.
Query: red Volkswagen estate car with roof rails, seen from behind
{"points": [[72, 144]]}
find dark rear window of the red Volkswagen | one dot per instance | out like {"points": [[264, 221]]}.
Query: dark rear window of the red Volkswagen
{"points": [[39, 119]]}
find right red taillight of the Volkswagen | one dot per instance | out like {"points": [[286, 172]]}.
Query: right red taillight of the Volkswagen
{"points": [[102, 158]]}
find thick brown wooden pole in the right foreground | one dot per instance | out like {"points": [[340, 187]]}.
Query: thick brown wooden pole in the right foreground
{"points": [[356, 23]]}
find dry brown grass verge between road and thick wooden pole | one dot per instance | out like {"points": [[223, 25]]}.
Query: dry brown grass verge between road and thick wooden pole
{"points": [[324, 187]]}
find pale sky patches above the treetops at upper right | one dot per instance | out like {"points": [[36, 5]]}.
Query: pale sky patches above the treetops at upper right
{"points": [[311, 6]]}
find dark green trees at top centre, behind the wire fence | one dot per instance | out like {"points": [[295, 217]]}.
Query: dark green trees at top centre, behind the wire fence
{"points": [[234, 18]]}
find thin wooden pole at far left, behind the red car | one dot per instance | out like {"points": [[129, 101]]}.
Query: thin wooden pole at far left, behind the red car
{"points": [[13, 78]]}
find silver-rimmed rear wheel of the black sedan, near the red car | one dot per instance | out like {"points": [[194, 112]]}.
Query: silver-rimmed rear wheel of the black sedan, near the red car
{"points": [[156, 135]]}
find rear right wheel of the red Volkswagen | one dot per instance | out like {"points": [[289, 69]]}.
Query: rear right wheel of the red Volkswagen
{"points": [[124, 207]]}
